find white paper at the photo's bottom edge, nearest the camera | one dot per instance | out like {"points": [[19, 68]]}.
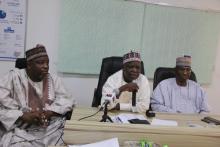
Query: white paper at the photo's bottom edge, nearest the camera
{"points": [[105, 143]]}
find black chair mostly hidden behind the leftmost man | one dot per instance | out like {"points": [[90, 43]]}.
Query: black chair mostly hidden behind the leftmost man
{"points": [[21, 63]]}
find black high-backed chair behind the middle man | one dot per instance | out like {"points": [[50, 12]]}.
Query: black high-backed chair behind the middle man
{"points": [[109, 66]]}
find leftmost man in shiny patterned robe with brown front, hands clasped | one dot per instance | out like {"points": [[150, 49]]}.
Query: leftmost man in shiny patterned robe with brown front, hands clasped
{"points": [[20, 97]]}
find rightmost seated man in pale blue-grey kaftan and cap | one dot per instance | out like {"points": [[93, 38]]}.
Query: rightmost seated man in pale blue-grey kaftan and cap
{"points": [[179, 95]]}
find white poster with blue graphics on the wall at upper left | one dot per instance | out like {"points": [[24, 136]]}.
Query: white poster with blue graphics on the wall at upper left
{"points": [[12, 29]]}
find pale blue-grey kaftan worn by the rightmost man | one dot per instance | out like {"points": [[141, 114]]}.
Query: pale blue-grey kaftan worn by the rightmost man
{"points": [[170, 97]]}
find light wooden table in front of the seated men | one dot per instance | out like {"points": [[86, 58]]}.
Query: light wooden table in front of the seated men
{"points": [[91, 130]]}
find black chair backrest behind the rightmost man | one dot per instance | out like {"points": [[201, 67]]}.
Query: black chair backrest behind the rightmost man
{"points": [[162, 73]]}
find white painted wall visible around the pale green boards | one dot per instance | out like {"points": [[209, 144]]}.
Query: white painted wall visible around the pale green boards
{"points": [[42, 27]]}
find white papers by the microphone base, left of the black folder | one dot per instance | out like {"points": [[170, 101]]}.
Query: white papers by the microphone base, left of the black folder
{"points": [[124, 117]]}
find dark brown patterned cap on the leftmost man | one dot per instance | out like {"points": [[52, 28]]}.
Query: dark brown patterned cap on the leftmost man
{"points": [[36, 52]]}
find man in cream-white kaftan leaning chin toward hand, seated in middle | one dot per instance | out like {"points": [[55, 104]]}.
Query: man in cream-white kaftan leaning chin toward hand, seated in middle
{"points": [[122, 83]]}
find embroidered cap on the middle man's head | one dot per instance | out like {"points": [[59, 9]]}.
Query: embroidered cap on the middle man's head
{"points": [[131, 56]]}
